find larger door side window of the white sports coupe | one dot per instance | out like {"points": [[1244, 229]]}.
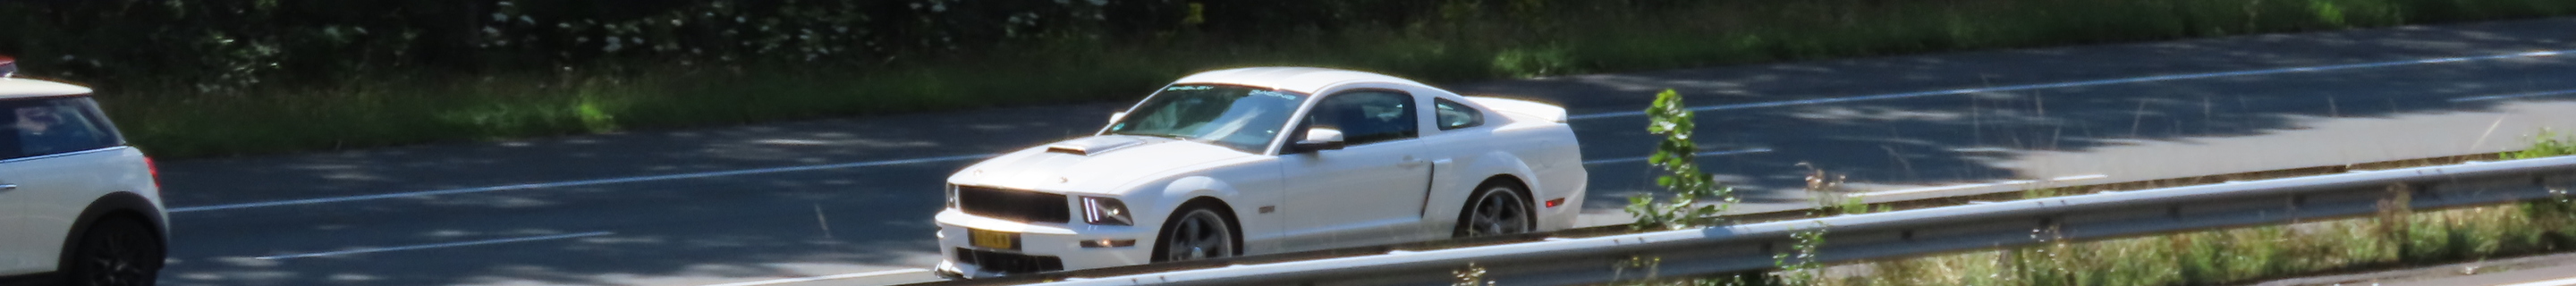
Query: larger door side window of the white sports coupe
{"points": [[1367, 117]]}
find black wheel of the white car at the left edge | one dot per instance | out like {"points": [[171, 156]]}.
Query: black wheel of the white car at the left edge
{"points": [[117, 251]]}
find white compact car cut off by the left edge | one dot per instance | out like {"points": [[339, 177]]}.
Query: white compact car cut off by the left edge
{"points": [[79, 207]]}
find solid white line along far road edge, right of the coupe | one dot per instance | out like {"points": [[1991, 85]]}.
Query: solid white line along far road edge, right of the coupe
{"points": [[2119, 81]]}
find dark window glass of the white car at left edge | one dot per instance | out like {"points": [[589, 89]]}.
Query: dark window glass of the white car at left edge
{"points": [[53, 128]]}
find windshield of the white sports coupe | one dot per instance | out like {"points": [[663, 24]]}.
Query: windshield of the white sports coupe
{"points": [[1217, 115]]}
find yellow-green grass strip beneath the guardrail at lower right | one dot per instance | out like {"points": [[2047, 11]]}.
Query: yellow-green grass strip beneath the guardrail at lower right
{"points": [[2227, 256]]}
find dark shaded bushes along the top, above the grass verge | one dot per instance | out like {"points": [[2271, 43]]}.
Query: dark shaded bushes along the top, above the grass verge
{"points": [[246, 43]]}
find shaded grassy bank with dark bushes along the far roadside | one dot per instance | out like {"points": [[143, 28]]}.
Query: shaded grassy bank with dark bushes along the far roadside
{"points": [[279, 76]]}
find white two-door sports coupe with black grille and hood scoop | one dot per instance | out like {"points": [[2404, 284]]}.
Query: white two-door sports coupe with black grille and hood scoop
{"points": [[1266, 161]]}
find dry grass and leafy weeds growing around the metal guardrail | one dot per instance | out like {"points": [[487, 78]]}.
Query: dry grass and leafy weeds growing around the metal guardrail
{"points": [[2394, 238]]}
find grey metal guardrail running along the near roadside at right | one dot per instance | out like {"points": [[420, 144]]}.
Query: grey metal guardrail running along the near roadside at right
{"points": [[1910, 233]]}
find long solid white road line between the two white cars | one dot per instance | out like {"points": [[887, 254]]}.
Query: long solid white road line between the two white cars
{"points": [[336, 200]]}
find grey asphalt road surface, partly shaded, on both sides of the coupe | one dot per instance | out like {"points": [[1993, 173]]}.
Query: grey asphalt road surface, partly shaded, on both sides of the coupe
{"points": [[857, 195]]}
